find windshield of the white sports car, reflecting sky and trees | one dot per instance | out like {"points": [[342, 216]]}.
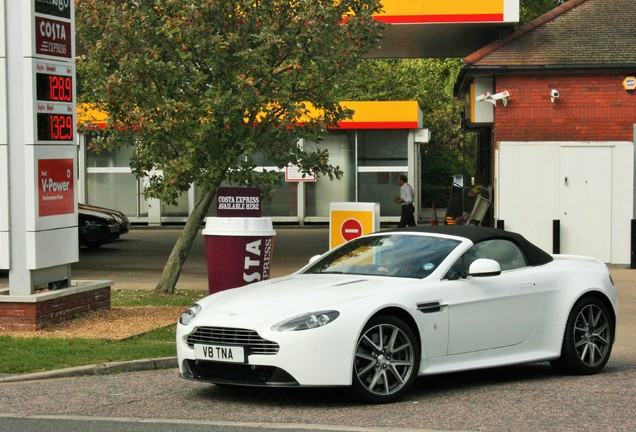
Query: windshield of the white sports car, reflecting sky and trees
{"points": [[397, 255]]}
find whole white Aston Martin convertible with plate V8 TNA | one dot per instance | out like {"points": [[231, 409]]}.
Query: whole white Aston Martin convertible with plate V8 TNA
{"points": [[381, 310]]}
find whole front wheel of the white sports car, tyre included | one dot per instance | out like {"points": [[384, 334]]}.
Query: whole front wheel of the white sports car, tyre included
{"points": [[386, 360]]}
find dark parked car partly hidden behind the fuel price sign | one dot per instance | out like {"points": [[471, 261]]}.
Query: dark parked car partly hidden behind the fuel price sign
{"points": [[99, 225]]}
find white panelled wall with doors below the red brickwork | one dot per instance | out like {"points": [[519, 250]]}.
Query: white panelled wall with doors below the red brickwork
{"points": [[530, 194]]}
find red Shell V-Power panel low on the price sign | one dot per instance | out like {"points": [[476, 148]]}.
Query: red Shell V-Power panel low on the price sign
{"points": [[55, 187]]}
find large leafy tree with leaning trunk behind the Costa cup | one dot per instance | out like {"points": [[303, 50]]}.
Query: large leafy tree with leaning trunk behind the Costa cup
{"points": [[201, 86]]}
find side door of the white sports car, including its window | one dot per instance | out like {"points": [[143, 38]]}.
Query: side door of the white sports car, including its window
{"points": [[494, 311]]}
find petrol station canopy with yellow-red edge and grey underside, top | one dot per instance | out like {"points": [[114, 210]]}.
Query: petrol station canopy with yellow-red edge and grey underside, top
{"points": [[443, 28]]}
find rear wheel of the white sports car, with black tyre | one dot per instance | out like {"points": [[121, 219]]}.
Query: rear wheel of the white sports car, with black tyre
{"points": [[588, 339]]}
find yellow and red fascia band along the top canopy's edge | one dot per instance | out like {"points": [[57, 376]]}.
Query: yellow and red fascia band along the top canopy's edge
{"points": [[441, 11]]}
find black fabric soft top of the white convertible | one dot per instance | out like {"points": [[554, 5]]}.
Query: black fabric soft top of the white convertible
{"points": [[534, 255]]}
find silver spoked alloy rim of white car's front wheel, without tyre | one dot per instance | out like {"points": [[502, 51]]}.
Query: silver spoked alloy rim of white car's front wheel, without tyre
{"points": [[385, 359]]}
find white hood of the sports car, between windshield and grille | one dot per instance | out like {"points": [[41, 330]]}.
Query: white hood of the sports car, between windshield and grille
{"points": [[282, 298]]}
